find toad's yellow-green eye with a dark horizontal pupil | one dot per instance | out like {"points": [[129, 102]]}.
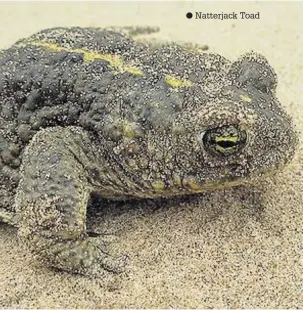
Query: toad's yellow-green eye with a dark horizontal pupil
{"points": [[225, 140]]}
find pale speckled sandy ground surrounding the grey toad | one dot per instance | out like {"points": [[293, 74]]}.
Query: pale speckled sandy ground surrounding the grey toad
{"points": [[215, 251]]}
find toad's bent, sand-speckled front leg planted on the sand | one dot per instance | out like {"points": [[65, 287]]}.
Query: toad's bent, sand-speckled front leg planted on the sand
{"points": [[52, 200]]}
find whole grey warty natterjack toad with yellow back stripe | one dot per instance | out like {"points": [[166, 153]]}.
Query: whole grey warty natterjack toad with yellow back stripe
{"points": [[87, 110]]}
